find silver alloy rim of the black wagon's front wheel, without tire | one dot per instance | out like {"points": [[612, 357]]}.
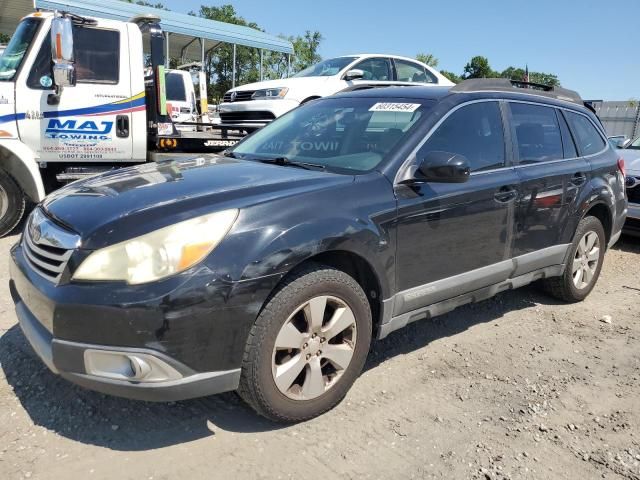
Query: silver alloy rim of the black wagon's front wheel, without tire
{"points": [[314, 348]]}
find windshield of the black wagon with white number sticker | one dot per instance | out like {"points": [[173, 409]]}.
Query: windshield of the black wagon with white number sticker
{"points": [[345, 135]]}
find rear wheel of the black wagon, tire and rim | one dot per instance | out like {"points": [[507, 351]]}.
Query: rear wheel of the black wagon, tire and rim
{"points": [[567, 287]]}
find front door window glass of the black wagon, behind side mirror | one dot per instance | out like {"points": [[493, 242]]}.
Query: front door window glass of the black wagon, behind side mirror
{"points": [[474, 131]]}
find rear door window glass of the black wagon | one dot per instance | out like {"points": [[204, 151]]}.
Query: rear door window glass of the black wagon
{"points": [[537, 133]]}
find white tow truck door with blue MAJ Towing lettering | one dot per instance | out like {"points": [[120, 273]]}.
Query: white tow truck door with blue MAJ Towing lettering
{"points": [[92, 121]]}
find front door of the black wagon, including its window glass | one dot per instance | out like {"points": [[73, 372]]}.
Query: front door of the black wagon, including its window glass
{"points": [[455, 238]]}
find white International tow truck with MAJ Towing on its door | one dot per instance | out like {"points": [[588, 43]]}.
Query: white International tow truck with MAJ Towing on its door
{"points": [[75, 100]]}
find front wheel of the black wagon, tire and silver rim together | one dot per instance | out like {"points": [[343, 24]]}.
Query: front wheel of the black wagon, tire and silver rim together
{"points": [[321, 382]]}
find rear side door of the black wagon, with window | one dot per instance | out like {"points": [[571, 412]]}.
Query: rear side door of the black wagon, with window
{"points": [[551, 174]]}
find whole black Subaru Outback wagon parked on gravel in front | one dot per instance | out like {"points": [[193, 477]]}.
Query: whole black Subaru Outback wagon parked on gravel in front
{"points": [[270, 269]]}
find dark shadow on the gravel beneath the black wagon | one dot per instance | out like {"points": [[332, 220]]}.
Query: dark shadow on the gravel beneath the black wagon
{"points": [[127, 425]]}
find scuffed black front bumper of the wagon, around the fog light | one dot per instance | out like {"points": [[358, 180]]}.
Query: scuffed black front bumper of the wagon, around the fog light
{"points": [[202, 345]]}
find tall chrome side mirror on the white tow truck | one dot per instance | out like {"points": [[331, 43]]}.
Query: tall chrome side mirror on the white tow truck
{"points": [[64, 74]]}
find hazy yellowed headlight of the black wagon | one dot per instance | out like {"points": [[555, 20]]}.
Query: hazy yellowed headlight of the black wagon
{"points": [[160, 253]]}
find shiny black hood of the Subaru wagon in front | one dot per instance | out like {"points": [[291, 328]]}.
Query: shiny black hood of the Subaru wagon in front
{"points": [[125, 203]]}
